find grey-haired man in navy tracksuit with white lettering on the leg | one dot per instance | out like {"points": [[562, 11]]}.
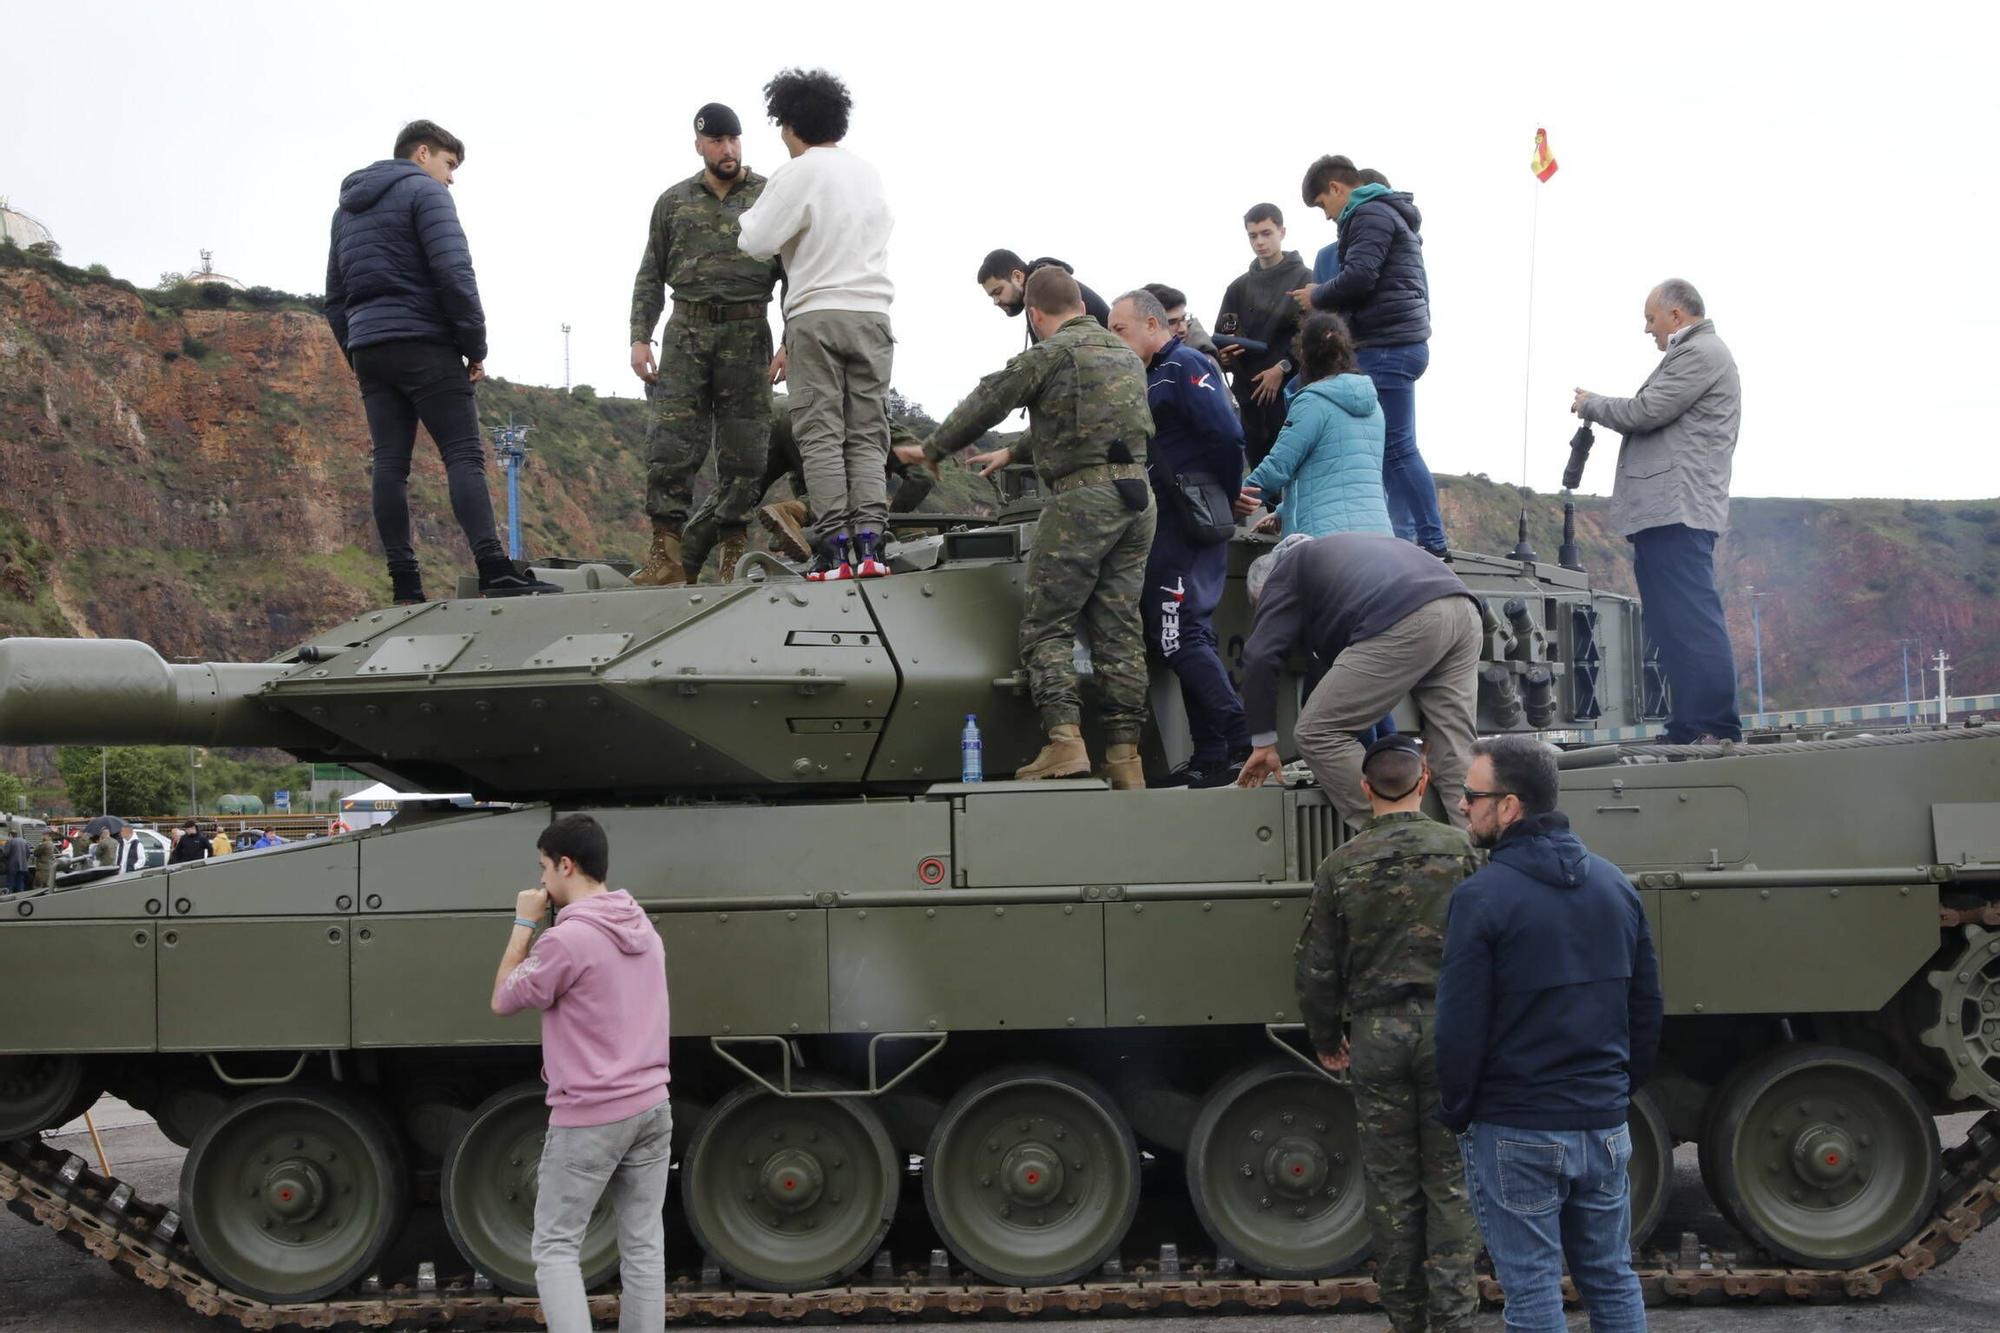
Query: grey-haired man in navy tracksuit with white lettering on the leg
{"points": [[1197, 433]]}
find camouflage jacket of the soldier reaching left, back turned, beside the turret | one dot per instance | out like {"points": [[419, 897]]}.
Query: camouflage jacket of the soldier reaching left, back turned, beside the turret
{"points": [[1085, 393]]}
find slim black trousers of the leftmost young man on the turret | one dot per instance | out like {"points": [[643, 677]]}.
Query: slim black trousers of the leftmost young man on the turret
{"points": [[403, 385]]}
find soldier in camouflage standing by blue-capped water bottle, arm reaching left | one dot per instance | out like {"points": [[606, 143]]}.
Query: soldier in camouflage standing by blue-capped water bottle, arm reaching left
{"points": [[1087, 437]]}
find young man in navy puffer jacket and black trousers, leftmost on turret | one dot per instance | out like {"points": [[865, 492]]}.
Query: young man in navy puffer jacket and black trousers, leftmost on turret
{"points": [[407, 313]]}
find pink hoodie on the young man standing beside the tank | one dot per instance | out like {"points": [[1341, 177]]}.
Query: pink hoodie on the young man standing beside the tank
{"points": [[599, 978]]}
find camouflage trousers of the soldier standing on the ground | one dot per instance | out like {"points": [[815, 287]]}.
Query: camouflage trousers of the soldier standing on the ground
{"points": [[1419, 1210]]}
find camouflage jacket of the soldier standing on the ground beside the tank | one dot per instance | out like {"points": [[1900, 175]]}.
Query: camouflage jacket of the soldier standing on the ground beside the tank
{"points": [[1375, 932]]}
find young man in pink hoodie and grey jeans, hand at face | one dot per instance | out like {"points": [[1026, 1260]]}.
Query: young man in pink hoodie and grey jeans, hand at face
{"points": [[599, 978]]}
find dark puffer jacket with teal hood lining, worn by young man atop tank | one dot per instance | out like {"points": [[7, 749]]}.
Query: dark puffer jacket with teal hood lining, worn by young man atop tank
{"points": [[1381, 289]]}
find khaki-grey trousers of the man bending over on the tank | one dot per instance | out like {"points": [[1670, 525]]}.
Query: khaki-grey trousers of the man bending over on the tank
{"points": [[1433, 655]]}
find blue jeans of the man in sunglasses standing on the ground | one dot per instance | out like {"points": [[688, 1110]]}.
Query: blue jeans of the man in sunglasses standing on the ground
{"points": [[1545, 1196]]}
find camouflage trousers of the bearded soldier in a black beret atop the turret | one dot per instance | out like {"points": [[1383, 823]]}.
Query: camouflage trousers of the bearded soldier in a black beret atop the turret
{"points": [[715, 389]]}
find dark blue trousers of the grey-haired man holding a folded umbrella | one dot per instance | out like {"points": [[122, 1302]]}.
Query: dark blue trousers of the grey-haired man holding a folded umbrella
{"points": [[1675, 569]]}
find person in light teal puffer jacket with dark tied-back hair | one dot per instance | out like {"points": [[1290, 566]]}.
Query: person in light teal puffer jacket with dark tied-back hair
{"points": [[1329, 457]]}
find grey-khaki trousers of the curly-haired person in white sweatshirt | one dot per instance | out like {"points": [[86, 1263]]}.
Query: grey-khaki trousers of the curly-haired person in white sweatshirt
{"points": [[837, 367]]}
